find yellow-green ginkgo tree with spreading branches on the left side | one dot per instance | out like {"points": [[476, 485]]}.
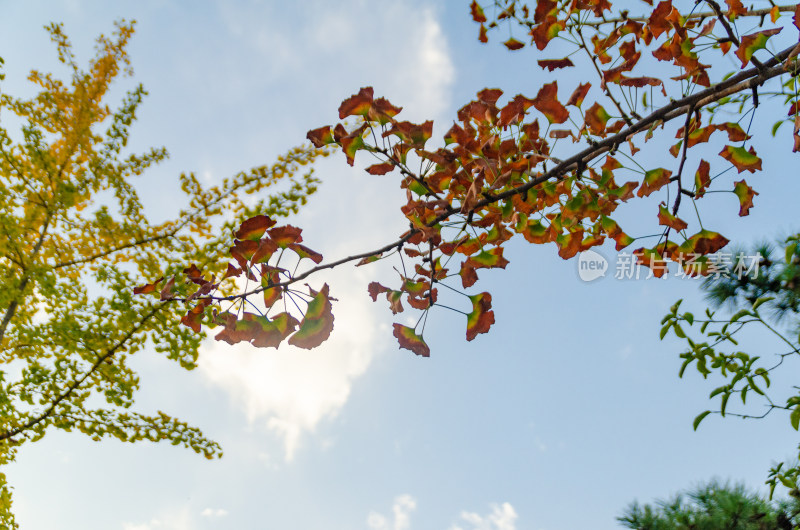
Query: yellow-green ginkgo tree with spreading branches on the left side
{"points": [[75, 237]]}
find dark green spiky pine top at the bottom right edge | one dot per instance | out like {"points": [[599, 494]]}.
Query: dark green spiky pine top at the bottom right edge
{"points": [[713, 506]]}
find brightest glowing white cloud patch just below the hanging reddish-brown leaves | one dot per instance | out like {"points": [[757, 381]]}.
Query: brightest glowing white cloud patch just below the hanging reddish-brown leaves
{"points": [[292, 390]]}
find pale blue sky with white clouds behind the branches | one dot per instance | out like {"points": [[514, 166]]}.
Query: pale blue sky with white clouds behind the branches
{"points": [[567, 411]]}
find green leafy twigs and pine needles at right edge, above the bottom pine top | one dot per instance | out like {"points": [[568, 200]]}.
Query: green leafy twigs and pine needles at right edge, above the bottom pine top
{"points": [[764, 297]]}
